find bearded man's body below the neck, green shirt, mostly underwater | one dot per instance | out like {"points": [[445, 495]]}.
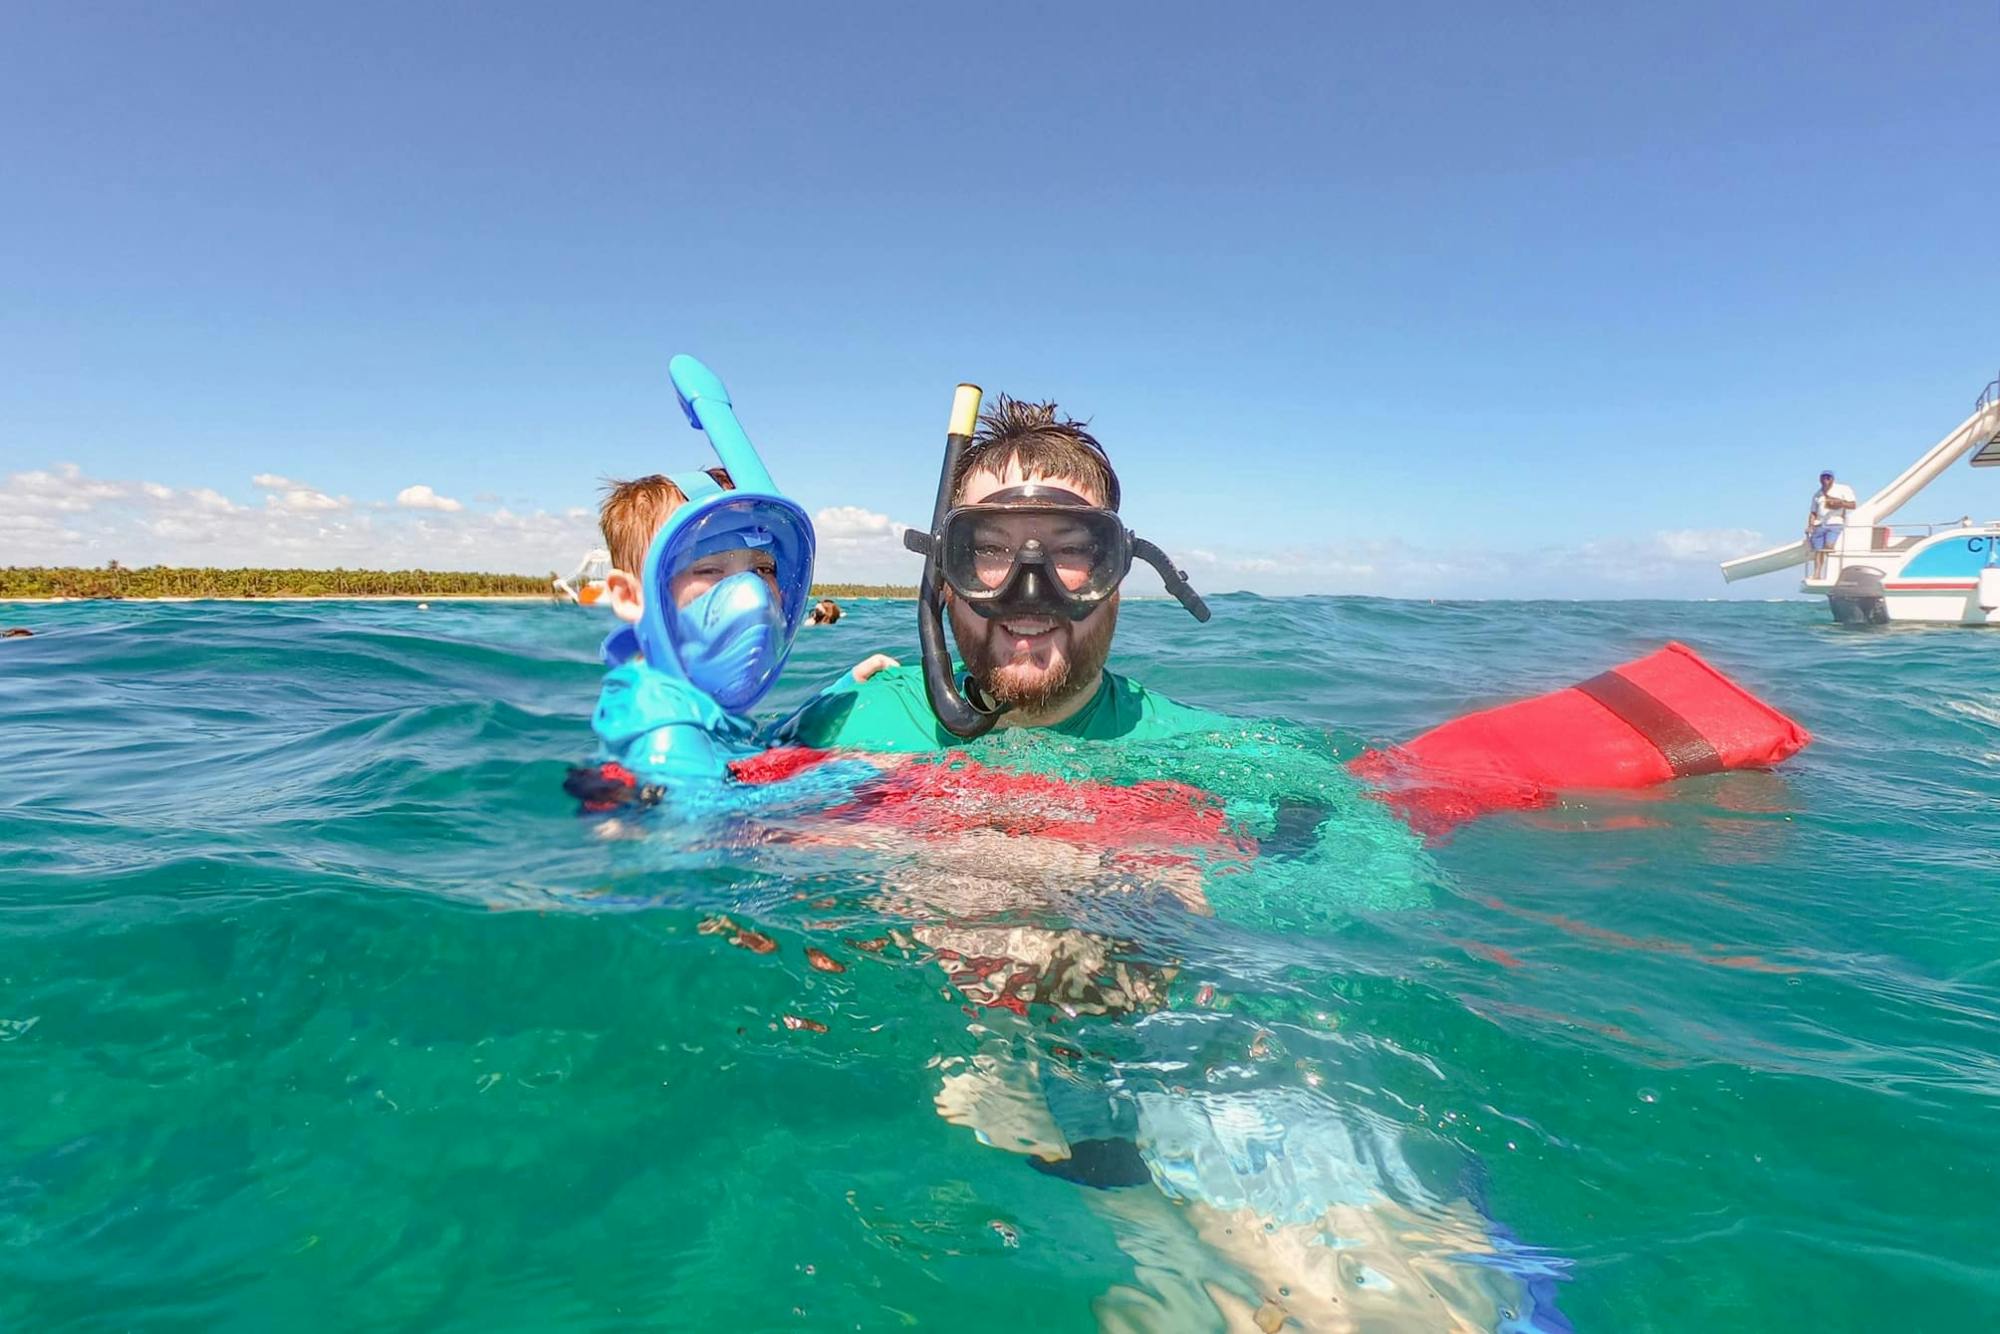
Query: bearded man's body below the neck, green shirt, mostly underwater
{"points": [[1057, 883]]}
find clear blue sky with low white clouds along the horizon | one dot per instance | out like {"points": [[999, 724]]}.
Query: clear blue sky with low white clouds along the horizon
{"points": [[1409, 299]]}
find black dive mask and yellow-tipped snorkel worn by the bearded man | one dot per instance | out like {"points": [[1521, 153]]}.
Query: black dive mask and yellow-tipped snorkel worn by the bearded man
{"points": [[1025, 551]]}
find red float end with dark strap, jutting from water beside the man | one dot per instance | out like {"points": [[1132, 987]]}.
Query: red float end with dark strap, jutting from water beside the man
{"points": [[1655, 719]]}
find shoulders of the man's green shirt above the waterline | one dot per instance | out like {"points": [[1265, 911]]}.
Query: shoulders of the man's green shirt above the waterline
{"points": [[891, 713]]}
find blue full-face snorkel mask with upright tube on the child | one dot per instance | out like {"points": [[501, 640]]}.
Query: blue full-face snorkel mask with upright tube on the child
{"points": [[733, 641]]}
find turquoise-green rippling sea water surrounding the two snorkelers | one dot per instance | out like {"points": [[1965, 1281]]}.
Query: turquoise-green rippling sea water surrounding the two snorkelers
{"points": [[323, 1009]]}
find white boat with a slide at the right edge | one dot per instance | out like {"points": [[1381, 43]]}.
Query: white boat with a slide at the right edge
{"points": [[1875, 573]]}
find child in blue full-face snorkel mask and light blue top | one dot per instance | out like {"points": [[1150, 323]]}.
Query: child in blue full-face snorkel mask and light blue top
{"points": [[711, 575]]}
